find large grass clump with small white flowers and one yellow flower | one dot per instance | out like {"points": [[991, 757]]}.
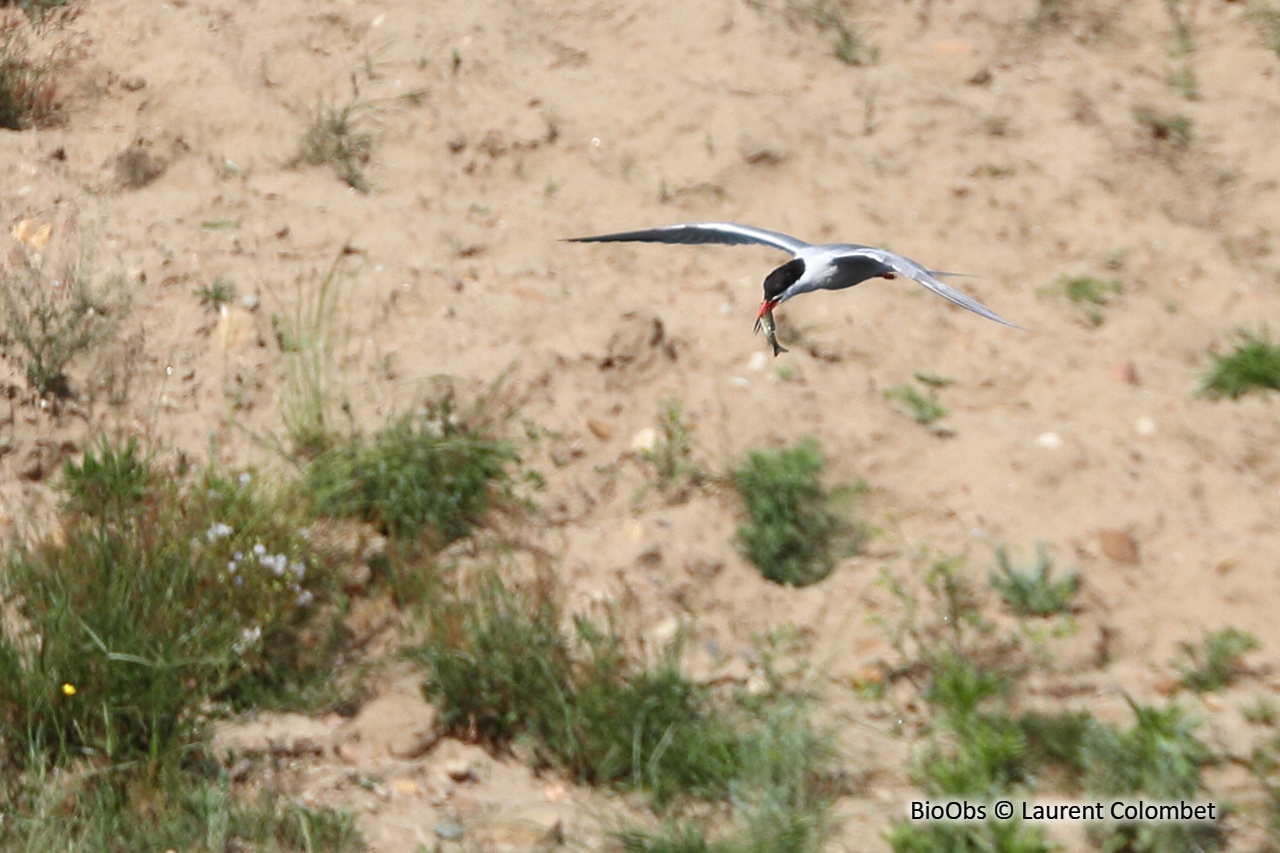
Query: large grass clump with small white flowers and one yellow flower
{"points": [[163, 595]]}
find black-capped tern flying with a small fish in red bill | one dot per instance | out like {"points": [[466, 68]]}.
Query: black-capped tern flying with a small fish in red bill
{"points": [[831, 267]]}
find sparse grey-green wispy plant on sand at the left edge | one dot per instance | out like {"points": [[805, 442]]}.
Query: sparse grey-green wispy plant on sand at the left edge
{"points": [[53, 312]]}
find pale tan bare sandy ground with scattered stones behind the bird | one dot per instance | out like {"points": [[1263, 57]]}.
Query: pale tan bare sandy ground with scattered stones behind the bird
{"points": [[982, 136]]}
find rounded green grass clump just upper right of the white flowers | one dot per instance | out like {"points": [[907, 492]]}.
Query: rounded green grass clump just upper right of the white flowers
{"points": [[431, 473]]}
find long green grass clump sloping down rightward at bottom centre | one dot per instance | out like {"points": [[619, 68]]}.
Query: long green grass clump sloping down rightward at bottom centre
{"points": [[502, 667]]}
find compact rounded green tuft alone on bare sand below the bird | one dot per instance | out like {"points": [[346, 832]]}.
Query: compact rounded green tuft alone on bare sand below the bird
{"points": [[796, 527]]}
